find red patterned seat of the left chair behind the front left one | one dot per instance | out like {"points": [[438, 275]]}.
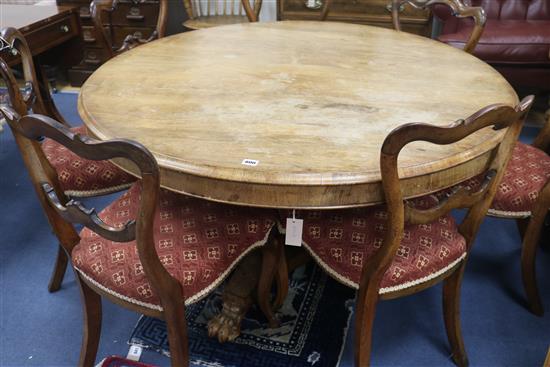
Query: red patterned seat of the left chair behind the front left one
{"points": [[81, 177]]}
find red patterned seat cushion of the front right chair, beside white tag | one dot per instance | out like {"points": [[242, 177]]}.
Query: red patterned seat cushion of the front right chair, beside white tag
{"points": [[342, 240]]}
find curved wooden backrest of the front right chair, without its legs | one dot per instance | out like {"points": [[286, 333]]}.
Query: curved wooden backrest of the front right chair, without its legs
{"points": [[476, 200]]}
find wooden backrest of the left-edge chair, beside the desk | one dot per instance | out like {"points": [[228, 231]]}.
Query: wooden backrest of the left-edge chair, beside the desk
{"points": [[36, 95]]}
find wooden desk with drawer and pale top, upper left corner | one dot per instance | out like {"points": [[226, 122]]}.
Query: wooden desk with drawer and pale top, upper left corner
{"points": [[44, 27]]}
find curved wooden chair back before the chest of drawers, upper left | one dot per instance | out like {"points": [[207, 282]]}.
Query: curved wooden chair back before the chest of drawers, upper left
{"points": [[102, 8]]}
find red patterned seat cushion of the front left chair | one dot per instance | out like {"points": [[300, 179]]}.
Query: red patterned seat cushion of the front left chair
{"points": [[197, 241]]}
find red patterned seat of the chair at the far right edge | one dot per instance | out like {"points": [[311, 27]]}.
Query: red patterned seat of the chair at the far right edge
{"points": [[523, 180]]}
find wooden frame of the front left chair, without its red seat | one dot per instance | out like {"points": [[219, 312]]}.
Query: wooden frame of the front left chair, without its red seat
{"points": [[62, 212]]}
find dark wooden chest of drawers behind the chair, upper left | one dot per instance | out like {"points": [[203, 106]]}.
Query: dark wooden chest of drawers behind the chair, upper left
{"points": [[137, 17]]}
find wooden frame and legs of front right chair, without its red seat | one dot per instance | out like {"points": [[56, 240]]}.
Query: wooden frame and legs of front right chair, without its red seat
{"points": [[477, 203]]}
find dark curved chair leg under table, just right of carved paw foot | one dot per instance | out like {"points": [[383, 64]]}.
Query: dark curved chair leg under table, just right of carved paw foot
{"points": [[271, 255]]}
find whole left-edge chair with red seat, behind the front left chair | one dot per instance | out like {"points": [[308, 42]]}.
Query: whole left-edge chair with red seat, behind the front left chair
{"points": [[78, 177]]}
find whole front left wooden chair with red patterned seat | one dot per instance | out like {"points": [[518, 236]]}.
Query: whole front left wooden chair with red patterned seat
{"points": [[150, 251]]}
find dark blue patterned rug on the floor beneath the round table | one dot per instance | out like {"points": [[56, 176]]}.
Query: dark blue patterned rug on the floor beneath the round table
{"points": [[314, 323]]}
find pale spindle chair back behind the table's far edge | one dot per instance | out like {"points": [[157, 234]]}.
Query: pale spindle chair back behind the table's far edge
{"points": [[205, 8]]}
